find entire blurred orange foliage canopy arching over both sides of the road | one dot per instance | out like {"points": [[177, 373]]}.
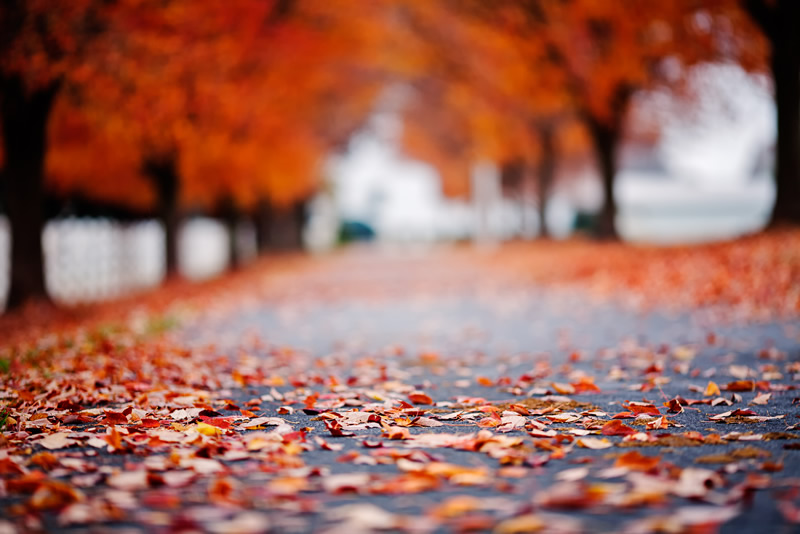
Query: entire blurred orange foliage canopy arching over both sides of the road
{"points": [[249, 95]]}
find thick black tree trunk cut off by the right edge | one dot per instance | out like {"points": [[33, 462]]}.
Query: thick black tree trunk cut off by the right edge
{"points": [[779, 23]]}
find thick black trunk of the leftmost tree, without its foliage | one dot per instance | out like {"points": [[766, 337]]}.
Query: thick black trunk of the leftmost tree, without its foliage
{"points": [[24, 119]]}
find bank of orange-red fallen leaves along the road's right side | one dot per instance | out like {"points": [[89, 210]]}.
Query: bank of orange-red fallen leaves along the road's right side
{"points": [[756, 277]]}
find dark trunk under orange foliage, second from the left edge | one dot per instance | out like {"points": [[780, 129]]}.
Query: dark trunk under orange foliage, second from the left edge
{"points": [[163, 174]]}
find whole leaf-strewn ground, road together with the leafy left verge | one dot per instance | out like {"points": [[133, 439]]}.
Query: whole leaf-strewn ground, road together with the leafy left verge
{"points": [[411, 391]]}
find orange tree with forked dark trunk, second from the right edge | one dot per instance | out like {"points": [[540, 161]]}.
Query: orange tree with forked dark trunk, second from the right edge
{"points": [[610, 51]]}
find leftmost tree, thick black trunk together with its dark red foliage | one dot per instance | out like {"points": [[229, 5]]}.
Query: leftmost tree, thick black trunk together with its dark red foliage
{"points": [[42, 49]]}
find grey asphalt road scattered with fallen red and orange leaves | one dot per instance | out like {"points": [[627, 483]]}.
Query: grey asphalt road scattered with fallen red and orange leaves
{"points": [[367, 327]]}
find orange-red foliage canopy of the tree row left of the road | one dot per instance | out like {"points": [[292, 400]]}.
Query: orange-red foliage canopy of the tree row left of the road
{"points": [[247, 95]]}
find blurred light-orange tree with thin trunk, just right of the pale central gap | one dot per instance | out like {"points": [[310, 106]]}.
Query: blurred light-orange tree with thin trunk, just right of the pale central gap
{"points": [[506, 85]]}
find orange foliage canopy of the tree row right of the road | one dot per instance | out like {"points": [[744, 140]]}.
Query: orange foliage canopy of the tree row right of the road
{"points": [[509, 68]]}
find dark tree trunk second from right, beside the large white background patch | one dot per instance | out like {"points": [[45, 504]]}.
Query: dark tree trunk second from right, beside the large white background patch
{"points": [[605, 138]]}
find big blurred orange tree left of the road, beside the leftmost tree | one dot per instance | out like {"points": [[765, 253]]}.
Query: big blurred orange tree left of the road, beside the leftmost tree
{"points": [[237, 121]]}
